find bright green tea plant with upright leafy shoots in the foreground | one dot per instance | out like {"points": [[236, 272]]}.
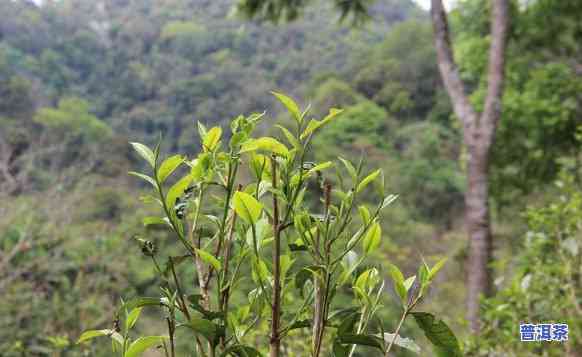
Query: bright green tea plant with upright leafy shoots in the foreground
{"points": [[272, 240]]}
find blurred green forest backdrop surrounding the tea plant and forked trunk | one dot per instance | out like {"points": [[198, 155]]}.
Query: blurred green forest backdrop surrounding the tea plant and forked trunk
{"points": [[80, 79]]}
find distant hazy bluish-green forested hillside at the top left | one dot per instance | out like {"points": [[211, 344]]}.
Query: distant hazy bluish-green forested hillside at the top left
{"points": [[145, 68]]}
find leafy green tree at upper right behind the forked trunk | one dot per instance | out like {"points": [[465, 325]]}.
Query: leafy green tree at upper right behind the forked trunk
{"points": [[540, 100]]}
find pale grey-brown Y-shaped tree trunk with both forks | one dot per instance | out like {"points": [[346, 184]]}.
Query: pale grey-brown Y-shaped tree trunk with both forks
{"points": [[478, 137]]}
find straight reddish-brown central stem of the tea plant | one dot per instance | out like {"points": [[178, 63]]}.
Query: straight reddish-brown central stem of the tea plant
{"points": [[275, 343]]}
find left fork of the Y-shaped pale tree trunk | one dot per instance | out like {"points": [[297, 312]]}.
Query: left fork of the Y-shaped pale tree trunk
{"points": [[448, 68]]}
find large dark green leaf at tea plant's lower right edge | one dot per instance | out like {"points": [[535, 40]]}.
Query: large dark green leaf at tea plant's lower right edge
{"points": [[439, 334]]}
